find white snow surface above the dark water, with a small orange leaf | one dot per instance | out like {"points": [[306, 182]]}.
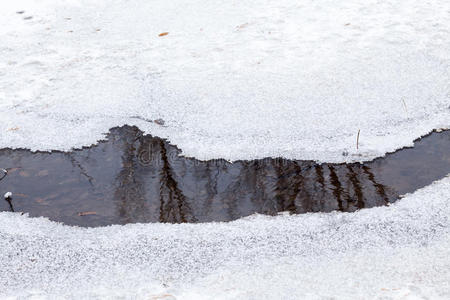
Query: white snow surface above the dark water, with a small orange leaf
{"points": [[232, 79]]}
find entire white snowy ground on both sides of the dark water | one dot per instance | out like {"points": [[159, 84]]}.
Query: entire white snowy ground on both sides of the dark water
{"points": [[232, 79]]}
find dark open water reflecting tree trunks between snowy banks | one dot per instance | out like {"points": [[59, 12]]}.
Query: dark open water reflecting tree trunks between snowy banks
{"points": [[135, 178]]}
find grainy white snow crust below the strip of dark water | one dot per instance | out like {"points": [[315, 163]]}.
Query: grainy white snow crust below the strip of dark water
{"points": [[398, 252]]}
